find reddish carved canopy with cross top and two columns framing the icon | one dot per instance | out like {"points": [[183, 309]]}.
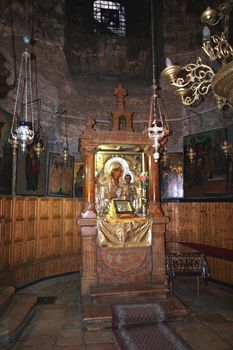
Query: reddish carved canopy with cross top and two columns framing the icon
{"points": [[121, 136]]}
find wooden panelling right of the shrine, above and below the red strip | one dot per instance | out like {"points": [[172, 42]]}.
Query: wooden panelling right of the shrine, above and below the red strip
{"points": [[208, 223]]}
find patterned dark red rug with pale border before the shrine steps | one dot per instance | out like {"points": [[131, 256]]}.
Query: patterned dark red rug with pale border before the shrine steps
{"points": [[143, 327]]}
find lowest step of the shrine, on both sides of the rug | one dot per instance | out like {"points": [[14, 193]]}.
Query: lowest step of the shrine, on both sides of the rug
{"points": [[99, 316]]}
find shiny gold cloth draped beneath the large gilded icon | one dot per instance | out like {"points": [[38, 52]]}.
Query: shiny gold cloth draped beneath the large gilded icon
{"points": [[119, 233]]}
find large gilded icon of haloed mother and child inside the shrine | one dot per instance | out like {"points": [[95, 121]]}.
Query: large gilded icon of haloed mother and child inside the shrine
{"points": [[118, 177]]}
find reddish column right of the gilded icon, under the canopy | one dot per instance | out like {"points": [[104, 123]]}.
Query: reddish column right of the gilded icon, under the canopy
{"points": [[154, 188]]}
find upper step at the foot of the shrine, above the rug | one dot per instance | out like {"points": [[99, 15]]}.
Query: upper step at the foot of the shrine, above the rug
{"points": [[126, 292]]}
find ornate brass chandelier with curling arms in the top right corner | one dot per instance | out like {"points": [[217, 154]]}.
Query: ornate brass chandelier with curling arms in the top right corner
{"points": [[196, 80]]}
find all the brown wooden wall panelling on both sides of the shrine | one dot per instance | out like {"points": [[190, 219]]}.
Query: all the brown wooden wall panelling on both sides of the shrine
{"points": [[40, 236]]}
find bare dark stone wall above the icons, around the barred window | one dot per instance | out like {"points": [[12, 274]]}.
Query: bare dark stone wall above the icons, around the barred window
{"points": [[78, 69]]}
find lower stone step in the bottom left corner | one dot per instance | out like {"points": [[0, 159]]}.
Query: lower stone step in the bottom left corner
{"points": [[15, 317]]}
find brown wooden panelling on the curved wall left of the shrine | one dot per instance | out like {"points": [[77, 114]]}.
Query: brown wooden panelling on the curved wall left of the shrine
{"points": [[39, 237]]}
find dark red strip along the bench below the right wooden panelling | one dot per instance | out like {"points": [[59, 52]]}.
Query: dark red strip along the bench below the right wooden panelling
{"points": [[216, 252]]}
